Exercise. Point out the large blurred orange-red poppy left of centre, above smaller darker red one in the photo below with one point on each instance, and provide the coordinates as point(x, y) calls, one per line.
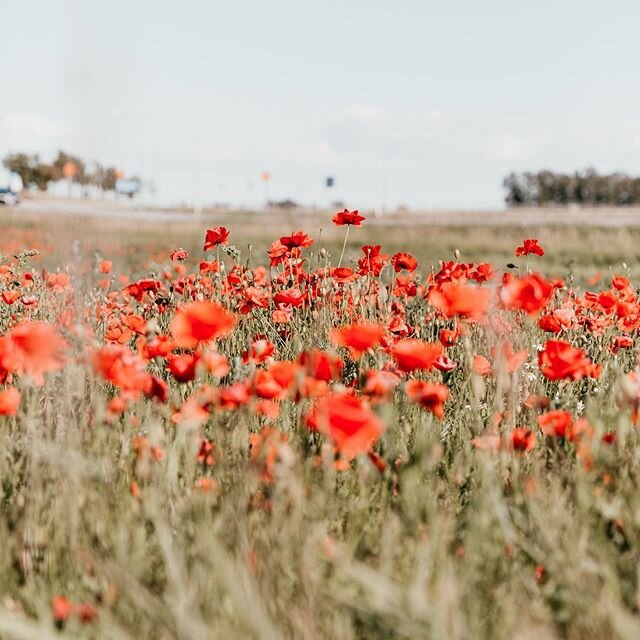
point(200, 322)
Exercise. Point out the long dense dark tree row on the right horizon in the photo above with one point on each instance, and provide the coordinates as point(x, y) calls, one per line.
point(582, 187)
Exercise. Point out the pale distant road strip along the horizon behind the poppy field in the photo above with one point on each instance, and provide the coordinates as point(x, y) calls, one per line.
point(599, 217)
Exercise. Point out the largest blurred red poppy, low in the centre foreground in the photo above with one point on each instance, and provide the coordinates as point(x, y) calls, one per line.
point(348, 421)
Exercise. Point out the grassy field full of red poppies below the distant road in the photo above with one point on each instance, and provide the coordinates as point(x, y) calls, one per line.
point(318, 436)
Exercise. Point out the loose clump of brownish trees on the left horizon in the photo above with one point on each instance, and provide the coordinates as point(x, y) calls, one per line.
point(36, 173)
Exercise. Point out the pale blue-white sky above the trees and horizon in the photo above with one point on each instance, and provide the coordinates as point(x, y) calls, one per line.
point(415, 102)
